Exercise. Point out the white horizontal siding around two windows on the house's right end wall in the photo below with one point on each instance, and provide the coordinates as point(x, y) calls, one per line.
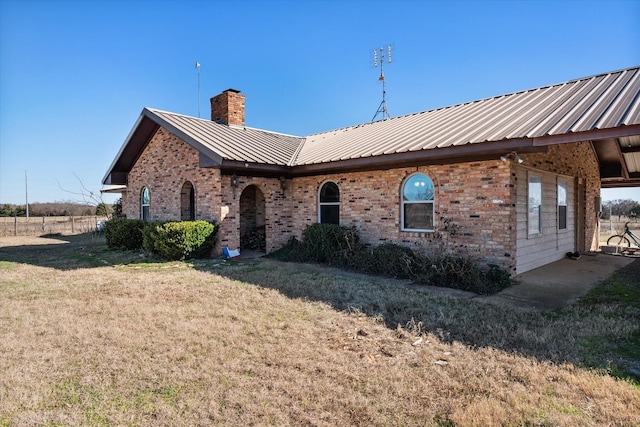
point(552, 244)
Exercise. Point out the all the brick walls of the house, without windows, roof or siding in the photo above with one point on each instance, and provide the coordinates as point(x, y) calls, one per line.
point(478, 197)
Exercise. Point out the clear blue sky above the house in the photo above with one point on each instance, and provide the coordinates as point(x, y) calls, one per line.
point(75, 74)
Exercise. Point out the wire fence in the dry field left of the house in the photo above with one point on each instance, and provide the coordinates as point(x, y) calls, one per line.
point(43, 225)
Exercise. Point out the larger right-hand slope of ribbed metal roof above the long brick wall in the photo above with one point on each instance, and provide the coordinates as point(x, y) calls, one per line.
point(604, 101)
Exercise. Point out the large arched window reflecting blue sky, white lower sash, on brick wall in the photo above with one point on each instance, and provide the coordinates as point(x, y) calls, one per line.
point(417, 203)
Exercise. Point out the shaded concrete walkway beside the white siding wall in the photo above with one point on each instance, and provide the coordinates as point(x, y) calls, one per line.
point(561, 283)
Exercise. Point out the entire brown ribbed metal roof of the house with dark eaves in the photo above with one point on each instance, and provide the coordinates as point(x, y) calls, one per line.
point(604, 109)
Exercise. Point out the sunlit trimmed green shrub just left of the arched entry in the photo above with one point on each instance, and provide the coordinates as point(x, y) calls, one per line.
point(180, 239)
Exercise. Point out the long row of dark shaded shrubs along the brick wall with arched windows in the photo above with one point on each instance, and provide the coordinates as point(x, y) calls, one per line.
point(340, 246)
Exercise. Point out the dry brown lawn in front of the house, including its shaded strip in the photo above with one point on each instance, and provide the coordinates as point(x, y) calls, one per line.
point(94, 337)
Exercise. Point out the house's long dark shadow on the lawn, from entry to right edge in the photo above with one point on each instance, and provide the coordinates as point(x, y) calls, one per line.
point(565, 336)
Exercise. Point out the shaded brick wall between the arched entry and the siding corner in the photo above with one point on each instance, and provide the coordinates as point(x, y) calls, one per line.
point(473, 196)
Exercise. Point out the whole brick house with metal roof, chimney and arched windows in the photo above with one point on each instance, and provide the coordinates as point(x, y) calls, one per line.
point(513, 180)
